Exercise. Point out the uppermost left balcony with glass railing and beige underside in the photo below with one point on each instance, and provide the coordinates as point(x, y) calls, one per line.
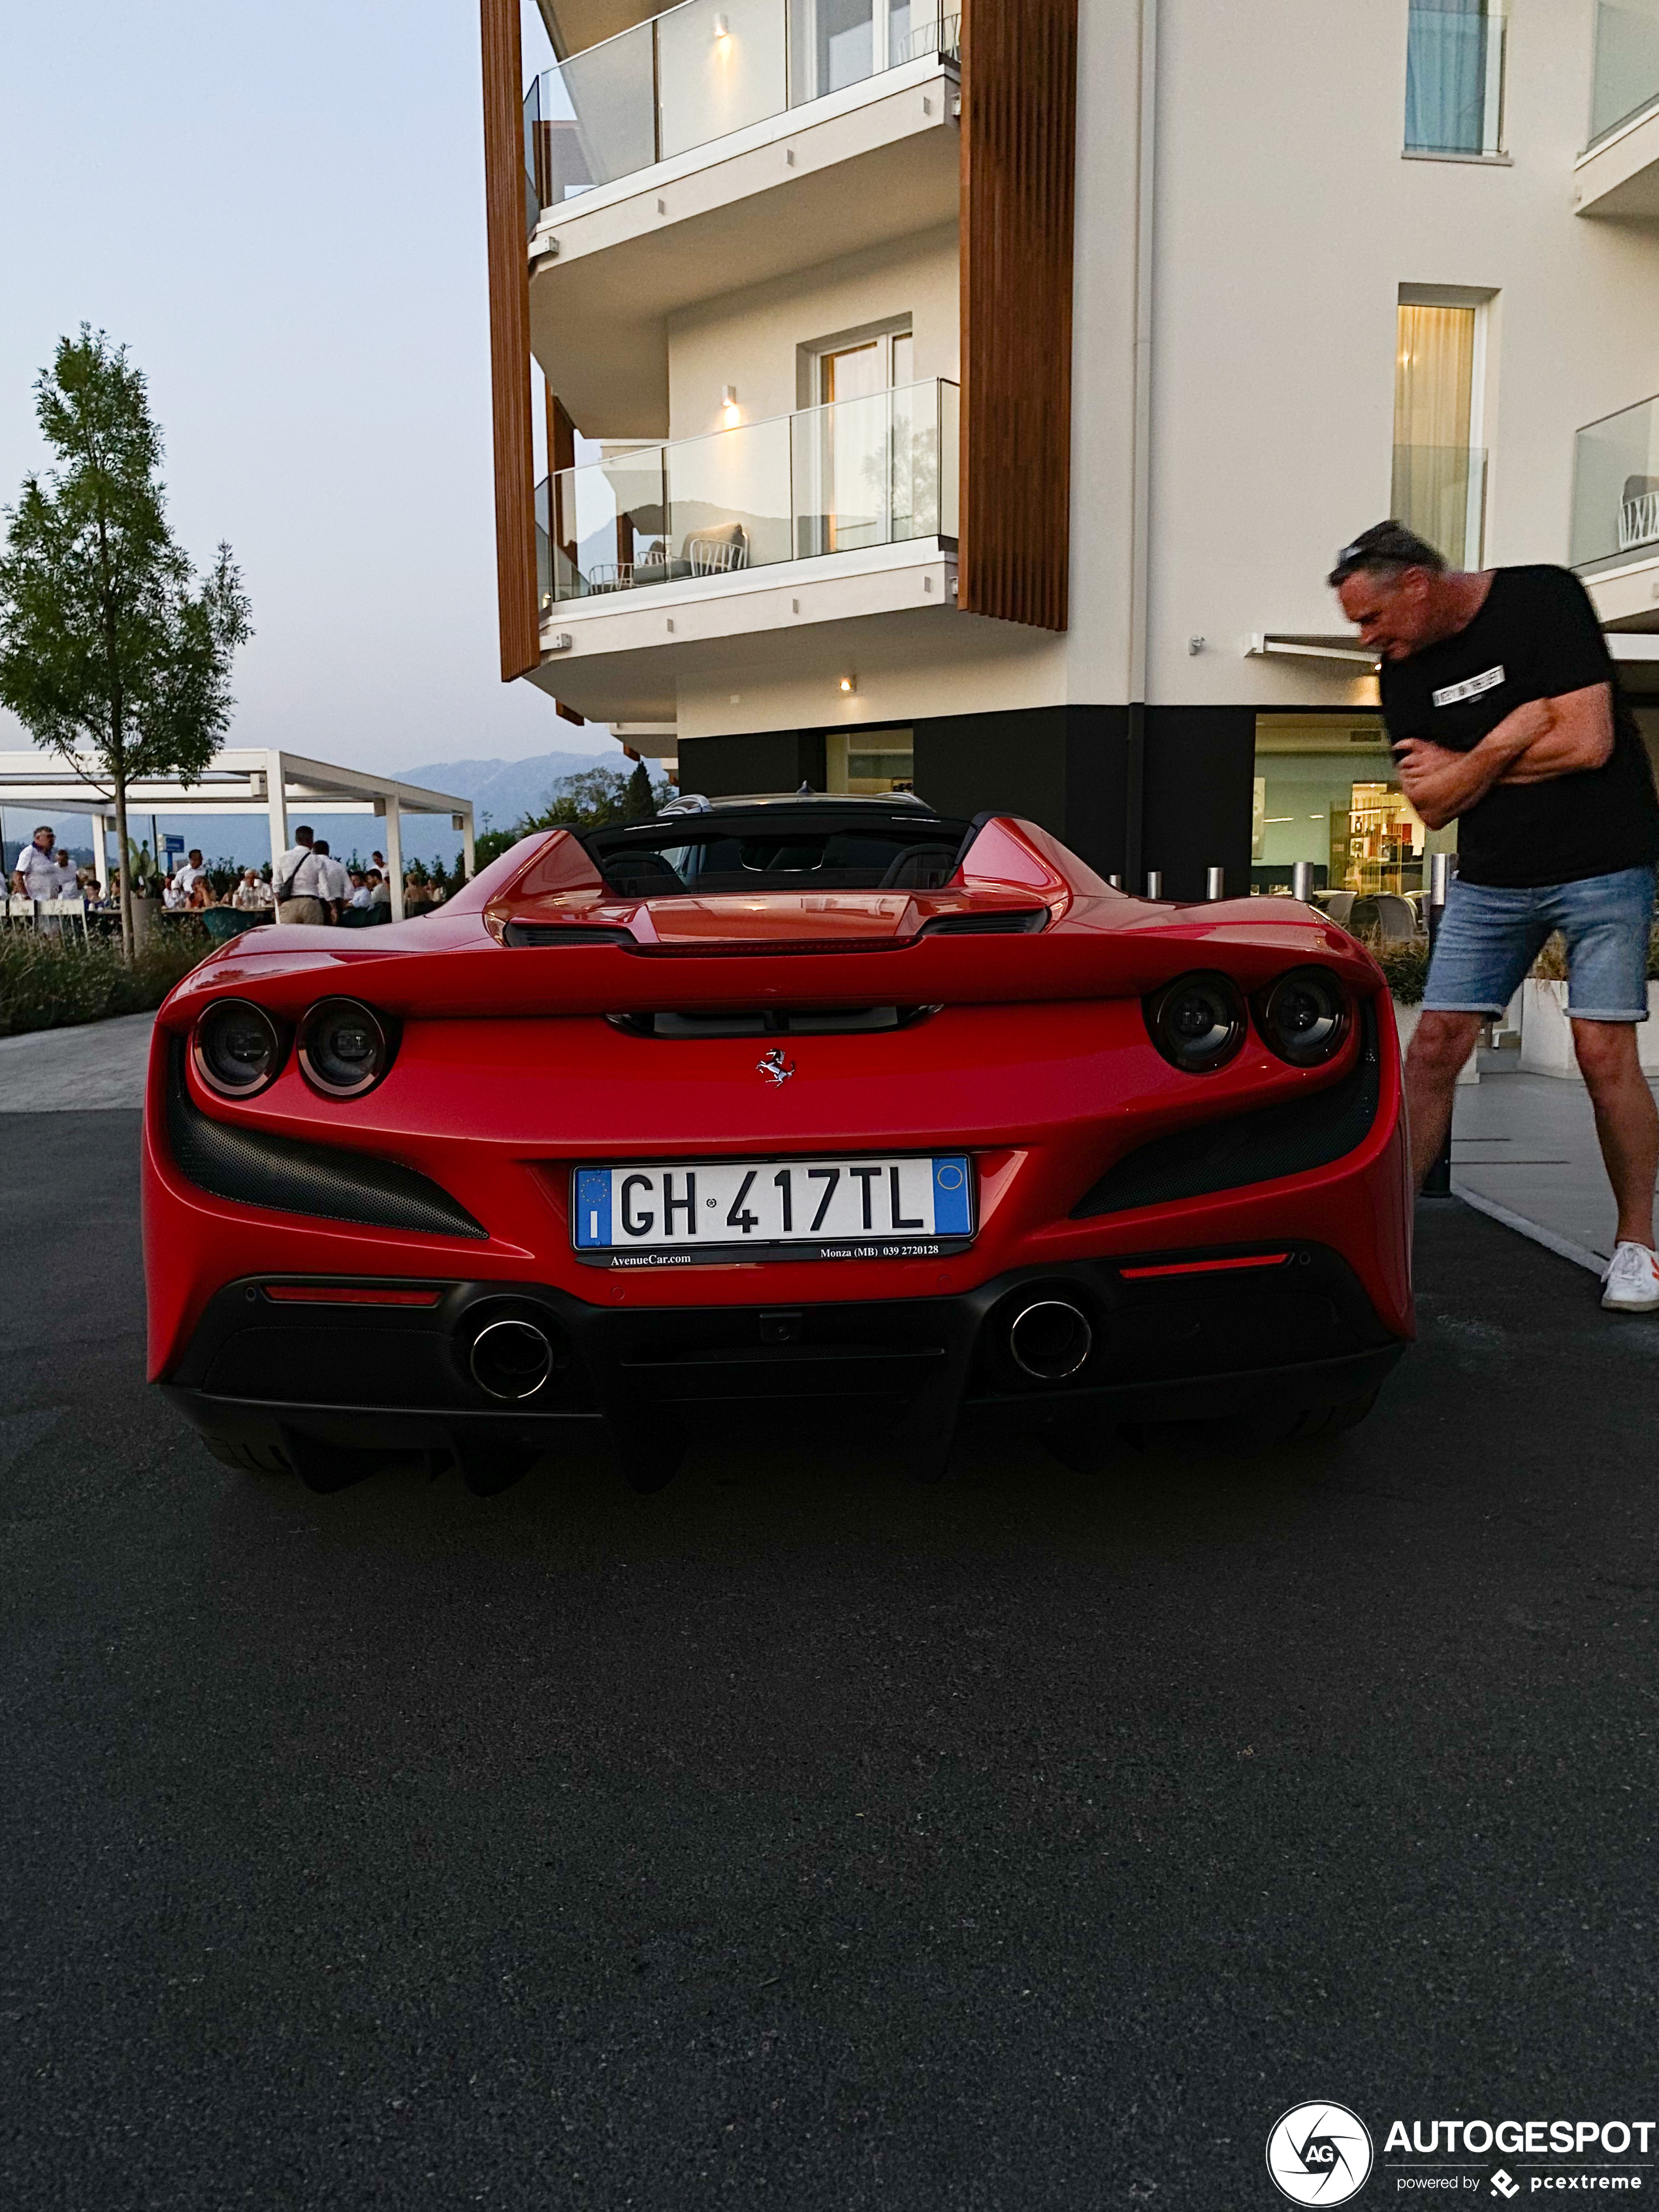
point(713, 149)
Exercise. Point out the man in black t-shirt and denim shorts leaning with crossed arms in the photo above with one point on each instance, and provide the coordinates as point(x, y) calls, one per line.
point(1505, 716)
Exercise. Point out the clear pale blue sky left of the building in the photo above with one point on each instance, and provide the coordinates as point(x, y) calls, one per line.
point(280, 211)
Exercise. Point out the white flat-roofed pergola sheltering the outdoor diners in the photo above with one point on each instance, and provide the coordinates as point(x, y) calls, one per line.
point(242, 780)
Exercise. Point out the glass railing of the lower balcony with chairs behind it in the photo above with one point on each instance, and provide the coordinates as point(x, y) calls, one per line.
point(862, 472)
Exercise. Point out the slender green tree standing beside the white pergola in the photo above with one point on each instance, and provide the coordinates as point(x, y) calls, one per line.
point(112, 651)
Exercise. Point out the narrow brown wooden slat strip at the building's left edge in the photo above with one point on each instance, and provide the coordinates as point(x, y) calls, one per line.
point(510, 337)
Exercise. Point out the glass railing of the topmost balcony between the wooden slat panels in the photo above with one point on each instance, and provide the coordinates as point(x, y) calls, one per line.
point(705, 70)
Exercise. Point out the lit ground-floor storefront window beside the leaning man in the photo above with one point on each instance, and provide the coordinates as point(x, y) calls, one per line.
point(1326, 793)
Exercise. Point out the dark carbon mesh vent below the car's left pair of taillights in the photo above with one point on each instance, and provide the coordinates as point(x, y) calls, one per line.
point(291, 1178)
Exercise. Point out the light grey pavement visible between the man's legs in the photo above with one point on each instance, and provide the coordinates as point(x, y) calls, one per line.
point(1523, 1151)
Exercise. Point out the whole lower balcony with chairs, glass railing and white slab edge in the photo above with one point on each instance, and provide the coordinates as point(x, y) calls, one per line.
point(775, 528)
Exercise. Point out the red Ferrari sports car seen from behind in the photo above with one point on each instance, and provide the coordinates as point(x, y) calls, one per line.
point(773, 1105)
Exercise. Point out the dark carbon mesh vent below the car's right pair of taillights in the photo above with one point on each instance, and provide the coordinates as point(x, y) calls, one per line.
point(1251, 1147)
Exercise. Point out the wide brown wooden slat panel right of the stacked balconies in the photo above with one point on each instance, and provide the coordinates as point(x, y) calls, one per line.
point(1019, 207)
